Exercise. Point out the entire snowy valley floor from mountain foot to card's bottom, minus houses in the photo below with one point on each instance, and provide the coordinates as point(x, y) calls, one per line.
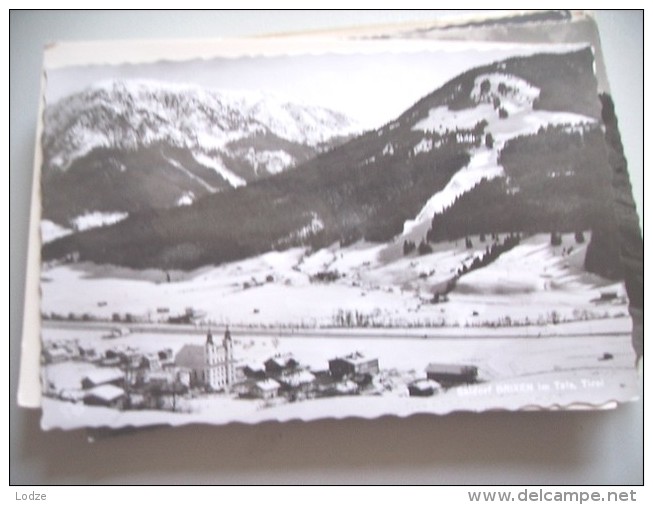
point(543, 333)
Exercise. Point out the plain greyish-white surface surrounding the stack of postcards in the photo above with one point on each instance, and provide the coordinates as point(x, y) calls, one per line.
point(490, 448)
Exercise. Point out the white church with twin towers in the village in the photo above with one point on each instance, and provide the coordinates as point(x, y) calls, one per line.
point(210, 365)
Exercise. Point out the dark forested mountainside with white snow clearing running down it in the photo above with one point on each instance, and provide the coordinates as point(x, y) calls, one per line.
point(517, 145)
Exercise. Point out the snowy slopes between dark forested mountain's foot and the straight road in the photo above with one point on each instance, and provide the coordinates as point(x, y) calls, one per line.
point(534, 284)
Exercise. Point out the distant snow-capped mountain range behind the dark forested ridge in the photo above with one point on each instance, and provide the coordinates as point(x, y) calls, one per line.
point(179, 138)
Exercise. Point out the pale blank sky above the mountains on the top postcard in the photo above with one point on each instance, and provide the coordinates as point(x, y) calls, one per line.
point(372, 88)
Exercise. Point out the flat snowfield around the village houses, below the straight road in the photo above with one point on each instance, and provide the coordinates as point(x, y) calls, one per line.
point(515, 373)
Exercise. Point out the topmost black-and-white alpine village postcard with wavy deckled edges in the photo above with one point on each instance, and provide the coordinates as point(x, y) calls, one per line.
point(335, 229)
